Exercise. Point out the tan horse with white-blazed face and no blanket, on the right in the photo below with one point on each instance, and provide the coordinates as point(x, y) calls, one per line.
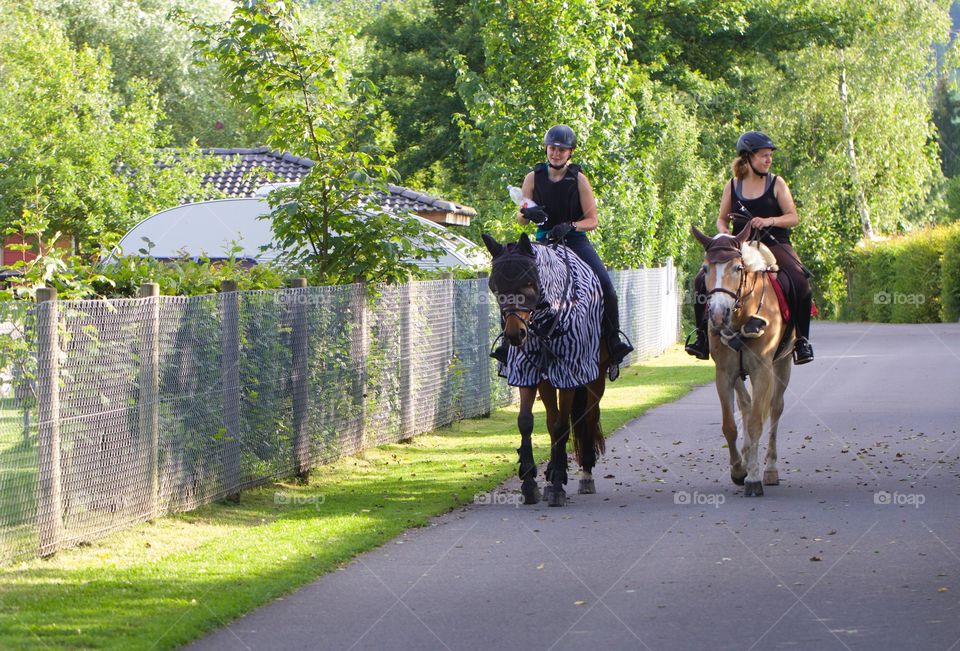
point(739, 289)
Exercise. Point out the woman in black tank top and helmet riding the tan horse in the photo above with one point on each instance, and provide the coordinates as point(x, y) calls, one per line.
point(763, 199)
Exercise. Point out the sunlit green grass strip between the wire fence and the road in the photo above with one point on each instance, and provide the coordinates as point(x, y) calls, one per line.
point(162, 584)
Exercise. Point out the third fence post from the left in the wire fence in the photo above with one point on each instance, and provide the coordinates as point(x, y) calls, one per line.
point(230, 364)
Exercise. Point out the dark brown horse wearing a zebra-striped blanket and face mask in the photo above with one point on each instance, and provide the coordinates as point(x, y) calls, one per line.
point(551, 304)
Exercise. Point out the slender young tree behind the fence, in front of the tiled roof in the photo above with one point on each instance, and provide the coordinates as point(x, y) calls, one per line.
point(290, 76)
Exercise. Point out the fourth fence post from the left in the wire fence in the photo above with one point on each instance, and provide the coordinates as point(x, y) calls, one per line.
point(300, 379)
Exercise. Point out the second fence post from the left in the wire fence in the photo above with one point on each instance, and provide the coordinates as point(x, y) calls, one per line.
point(150, 394)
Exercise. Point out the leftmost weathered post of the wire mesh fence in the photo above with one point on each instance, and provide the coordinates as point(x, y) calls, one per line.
point(49, 500)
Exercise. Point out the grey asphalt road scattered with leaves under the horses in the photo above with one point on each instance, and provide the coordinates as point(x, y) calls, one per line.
point(858, 548)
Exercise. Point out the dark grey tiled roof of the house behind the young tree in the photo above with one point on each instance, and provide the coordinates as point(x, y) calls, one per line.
point(238, 180)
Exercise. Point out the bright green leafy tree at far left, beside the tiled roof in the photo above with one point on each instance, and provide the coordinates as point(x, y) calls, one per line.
point(75, 156)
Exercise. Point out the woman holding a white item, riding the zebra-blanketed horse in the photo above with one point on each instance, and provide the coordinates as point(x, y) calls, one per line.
point(566, 210)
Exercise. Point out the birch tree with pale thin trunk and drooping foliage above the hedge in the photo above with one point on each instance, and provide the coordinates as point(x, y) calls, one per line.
point(855, 123)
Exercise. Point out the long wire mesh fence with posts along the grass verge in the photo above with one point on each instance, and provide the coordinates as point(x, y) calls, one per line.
point(116, 412)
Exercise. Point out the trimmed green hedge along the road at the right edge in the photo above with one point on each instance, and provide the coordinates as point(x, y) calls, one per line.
point(913, 279)
